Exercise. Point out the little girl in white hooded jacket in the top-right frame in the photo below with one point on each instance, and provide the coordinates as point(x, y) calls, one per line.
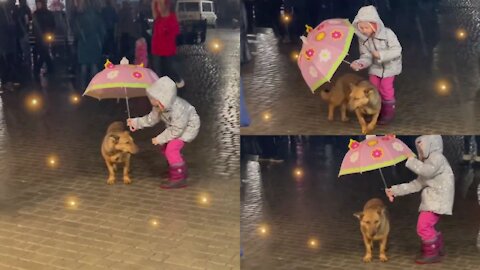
point(381, 52)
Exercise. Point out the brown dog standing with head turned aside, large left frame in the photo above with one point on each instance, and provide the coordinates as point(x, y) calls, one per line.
point(117, 147)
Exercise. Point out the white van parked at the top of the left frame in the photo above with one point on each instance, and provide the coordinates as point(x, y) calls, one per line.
point(201, 10)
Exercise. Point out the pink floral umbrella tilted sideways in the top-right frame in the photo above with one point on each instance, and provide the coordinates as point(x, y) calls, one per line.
point(323, 50)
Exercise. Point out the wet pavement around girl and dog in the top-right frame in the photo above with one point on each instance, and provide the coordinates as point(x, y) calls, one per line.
point(436, 93)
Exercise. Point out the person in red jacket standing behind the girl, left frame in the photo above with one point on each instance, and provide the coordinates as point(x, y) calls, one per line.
point(164, 45)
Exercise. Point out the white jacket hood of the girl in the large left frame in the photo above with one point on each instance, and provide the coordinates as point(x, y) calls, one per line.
point(163, 90)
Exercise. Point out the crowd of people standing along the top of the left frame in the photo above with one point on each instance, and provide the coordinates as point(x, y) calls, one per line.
point(30, 39)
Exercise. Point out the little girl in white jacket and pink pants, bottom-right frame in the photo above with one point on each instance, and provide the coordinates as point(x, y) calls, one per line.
point(436, 181)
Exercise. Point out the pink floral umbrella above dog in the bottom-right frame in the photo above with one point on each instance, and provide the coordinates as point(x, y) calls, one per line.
point(374, 153)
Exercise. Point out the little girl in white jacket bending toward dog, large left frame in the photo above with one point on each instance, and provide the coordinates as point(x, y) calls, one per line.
point(182, 125)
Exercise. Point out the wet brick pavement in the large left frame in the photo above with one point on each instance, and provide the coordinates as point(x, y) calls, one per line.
point(65, 216)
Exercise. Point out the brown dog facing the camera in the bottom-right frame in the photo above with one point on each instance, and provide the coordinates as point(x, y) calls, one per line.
point(375, 226)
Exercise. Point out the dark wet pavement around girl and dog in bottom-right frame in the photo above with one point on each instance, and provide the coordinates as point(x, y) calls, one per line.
point(282, 214)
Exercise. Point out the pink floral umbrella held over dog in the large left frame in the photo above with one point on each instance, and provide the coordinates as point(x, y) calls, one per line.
point(121, 81)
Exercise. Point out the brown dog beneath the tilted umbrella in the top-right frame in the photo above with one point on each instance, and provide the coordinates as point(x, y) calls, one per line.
point(354, 93)
